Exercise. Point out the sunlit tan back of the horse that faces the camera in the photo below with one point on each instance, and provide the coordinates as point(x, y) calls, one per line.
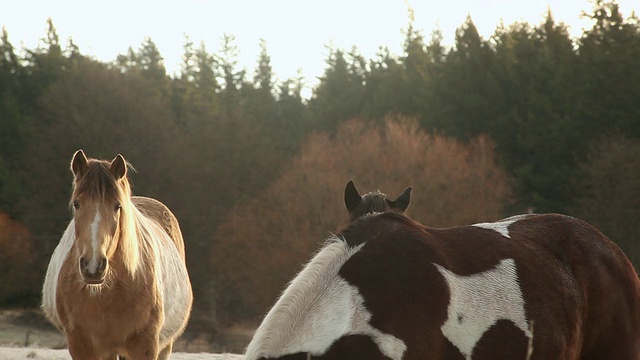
point(160, 213)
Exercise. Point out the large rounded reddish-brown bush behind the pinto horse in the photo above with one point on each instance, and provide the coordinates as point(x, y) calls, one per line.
point(265, 241)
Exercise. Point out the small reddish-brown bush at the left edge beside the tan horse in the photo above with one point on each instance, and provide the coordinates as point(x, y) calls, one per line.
point(17, 258)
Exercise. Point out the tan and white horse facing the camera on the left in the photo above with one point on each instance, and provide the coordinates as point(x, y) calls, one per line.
point(117, 283)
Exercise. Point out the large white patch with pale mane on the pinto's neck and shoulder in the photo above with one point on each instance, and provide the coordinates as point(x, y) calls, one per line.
point(318, 308)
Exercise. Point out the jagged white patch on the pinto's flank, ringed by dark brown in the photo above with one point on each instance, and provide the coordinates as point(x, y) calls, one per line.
point(478, 301)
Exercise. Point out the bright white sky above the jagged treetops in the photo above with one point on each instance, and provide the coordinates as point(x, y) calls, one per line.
point(295, 31)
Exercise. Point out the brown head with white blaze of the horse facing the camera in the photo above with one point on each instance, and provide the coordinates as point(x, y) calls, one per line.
point(100, 191)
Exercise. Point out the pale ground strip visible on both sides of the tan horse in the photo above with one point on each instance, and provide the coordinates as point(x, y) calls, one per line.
point(27, 335)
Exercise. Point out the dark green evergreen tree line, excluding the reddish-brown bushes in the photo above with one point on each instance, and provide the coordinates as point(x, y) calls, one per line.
point(214, 137)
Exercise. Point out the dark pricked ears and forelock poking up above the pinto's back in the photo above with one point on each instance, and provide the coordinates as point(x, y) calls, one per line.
point(374, 201)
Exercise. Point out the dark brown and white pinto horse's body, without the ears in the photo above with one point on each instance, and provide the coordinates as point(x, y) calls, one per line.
point(387, 287)
